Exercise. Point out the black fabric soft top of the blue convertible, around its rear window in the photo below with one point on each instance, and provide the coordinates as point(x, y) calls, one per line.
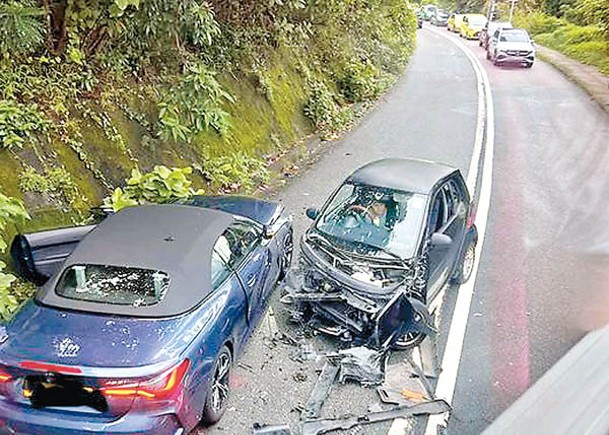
point(175, 239)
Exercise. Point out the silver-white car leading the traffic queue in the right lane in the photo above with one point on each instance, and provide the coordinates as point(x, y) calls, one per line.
point(511, 46)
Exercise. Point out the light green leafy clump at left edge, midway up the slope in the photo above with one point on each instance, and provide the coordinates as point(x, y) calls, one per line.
point(19, 122)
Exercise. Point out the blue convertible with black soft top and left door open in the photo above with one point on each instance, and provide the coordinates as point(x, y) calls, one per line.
point(138, 324)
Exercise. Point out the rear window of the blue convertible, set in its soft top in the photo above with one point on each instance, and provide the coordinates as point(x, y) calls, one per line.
point(113, 285)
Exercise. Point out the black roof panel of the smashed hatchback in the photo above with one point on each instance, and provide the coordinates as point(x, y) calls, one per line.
point(408, 175)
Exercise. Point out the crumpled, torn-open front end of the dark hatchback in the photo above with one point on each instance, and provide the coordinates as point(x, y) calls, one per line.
point(356, 298)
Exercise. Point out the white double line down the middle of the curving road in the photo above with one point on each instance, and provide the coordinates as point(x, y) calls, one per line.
point(445, 388)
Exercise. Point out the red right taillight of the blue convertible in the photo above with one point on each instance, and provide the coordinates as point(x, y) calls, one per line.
point(159, 387)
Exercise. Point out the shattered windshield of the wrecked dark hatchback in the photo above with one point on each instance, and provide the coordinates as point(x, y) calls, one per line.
point(385, 220)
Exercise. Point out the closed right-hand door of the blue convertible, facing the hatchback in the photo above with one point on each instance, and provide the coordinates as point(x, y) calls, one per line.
point(251, 259)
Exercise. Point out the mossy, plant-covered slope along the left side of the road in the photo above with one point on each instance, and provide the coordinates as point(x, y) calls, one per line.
point(119, 99)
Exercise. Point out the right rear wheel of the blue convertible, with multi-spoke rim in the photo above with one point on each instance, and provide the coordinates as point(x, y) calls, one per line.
point(219, 392)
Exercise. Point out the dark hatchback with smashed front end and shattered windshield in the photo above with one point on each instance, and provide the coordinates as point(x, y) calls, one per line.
point(394, 226)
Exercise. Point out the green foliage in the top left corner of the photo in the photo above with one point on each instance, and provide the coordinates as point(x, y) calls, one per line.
point(21, 29)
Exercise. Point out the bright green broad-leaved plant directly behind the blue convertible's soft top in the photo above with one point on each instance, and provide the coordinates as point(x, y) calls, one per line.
point(158, 186)
